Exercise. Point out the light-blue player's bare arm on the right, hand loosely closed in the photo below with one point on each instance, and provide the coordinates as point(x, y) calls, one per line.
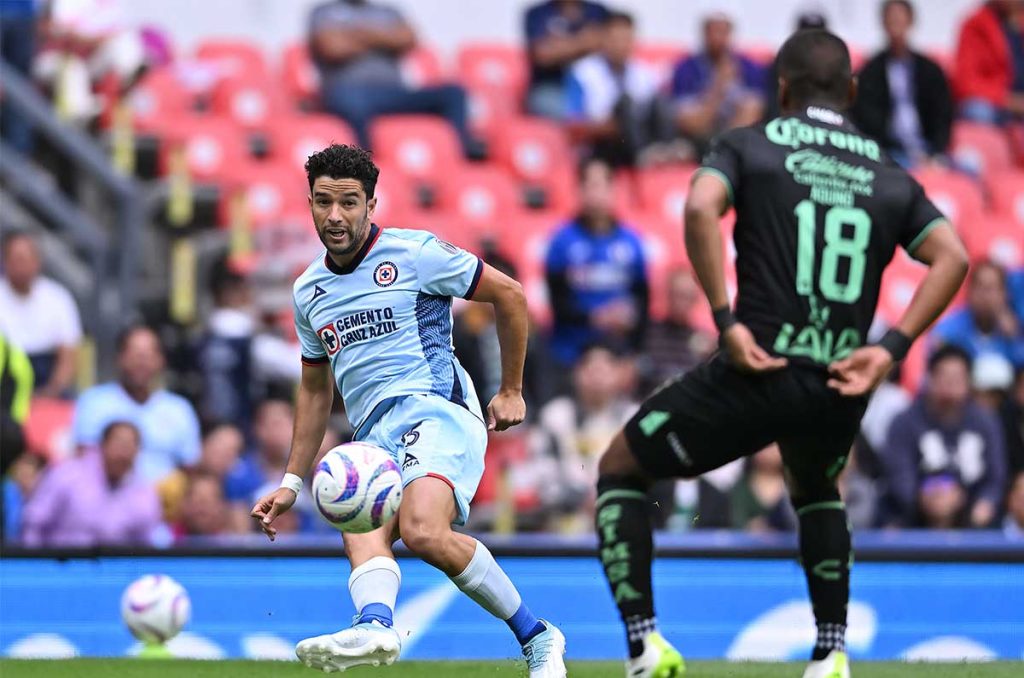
point(507, 408)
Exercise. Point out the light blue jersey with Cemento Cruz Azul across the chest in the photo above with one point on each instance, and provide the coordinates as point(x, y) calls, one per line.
point(385, 322)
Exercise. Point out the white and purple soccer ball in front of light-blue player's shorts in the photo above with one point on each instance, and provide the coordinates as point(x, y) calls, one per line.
point(358, 488)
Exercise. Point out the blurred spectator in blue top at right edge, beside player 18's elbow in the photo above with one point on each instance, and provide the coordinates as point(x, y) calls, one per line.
point(987, 324)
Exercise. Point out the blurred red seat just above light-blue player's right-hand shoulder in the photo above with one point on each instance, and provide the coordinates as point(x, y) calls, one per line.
point(485, 197)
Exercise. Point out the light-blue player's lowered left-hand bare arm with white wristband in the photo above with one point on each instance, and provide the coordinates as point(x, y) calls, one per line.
point(313, 408)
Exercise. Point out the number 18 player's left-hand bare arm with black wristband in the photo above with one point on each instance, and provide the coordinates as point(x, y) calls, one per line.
point(707, 202)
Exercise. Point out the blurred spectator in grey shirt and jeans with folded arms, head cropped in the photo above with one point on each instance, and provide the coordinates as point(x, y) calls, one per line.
point(358, 47)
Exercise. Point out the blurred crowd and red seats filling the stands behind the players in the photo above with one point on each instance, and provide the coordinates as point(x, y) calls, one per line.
point(565, 162)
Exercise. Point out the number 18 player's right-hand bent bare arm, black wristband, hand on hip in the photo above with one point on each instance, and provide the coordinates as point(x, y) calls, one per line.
point(865, 369)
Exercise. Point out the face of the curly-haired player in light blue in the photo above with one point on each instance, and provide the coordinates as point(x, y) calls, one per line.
point(342, 215)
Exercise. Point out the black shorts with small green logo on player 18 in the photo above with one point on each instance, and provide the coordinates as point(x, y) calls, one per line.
point(714, 415)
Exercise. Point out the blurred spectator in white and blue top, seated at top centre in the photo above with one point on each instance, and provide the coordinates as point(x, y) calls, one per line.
point(612, 105)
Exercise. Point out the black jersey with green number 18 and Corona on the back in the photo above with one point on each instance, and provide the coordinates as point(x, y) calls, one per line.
point(820, 213)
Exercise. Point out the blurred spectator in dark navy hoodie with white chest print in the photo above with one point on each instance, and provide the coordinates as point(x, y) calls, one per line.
point(946, 459)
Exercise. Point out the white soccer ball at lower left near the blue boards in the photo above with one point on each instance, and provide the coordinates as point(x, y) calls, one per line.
point(155, 608)
